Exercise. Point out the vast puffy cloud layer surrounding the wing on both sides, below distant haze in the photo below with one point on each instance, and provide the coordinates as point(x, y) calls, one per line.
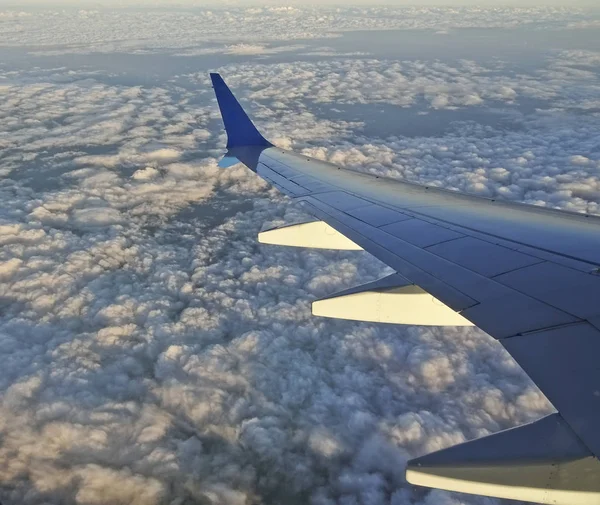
point(153, 352)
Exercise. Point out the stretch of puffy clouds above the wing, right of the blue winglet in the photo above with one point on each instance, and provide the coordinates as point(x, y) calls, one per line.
point(550, 157)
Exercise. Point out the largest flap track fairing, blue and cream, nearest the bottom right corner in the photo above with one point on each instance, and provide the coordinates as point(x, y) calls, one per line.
point(542, 462)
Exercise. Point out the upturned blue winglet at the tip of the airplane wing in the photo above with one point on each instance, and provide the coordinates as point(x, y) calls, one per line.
point(239, 128)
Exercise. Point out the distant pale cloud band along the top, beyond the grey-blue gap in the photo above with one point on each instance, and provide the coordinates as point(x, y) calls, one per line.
point(54, 31)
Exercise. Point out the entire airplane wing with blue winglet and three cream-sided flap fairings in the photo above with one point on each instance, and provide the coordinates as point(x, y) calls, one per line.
point(526, 275)
